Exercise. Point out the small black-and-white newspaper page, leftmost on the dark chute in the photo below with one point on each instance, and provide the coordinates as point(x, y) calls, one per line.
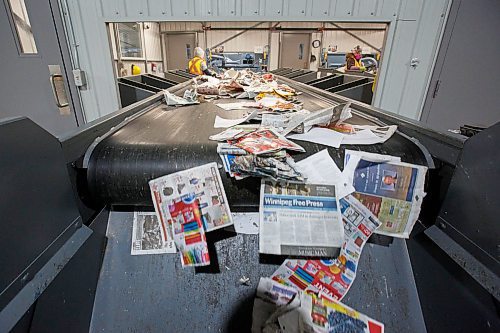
point(148, 235)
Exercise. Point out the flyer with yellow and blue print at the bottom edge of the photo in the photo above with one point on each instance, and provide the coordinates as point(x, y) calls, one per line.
point(318, 315)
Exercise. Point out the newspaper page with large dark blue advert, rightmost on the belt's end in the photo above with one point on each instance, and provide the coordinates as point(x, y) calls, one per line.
point(392, 190)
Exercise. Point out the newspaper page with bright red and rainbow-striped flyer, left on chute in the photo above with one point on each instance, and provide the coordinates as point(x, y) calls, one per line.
point(188, 203)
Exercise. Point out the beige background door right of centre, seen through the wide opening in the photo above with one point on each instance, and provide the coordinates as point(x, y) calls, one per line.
point(295, 50)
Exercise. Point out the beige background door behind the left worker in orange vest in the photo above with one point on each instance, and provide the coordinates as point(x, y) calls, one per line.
point(180, 48)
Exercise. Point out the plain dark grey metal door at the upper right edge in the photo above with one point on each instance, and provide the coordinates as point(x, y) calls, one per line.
point(468, 91)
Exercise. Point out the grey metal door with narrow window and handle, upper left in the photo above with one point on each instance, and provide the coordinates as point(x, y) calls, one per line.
point(35, 81)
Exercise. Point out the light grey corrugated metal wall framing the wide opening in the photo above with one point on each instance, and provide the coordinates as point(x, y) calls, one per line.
point(415, 28)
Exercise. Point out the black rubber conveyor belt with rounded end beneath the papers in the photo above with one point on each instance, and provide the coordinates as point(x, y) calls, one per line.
point(165, 139)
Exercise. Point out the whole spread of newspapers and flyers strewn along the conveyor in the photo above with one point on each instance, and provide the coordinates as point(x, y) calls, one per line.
point(318, 215)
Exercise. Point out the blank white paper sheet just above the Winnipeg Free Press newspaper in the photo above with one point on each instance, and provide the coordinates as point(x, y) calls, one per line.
point(320, 168)
